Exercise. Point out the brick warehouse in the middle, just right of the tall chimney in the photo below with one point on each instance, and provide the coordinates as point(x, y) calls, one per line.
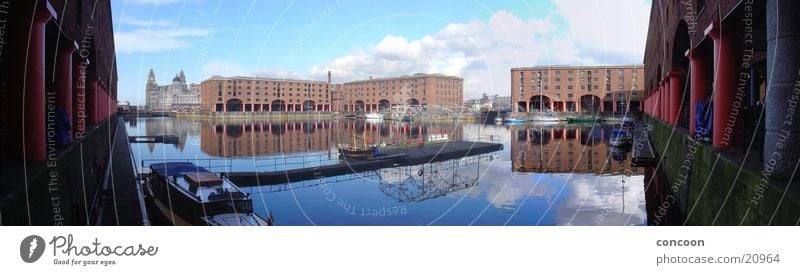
point(377, 94)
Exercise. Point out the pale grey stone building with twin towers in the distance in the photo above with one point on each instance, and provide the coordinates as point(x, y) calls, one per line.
point(176, 96)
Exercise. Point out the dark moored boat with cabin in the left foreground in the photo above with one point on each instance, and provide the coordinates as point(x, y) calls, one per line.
point(186, 194)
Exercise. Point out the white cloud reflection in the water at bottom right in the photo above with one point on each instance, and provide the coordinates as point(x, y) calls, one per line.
point(602, 204)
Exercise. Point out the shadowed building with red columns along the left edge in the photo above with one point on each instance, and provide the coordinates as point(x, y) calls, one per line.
point(58, 81)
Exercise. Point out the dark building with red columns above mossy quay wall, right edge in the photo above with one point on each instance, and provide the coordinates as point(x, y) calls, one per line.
point(721, 97)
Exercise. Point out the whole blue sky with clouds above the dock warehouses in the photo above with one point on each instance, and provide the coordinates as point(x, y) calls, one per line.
point(477, 40)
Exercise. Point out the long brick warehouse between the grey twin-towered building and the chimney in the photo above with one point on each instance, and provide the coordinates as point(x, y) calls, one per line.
point(260, 94)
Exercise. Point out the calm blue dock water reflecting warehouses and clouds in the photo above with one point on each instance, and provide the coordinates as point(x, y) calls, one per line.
point(545, 175)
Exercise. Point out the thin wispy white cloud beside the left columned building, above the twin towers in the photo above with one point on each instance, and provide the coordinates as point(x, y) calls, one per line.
point(145, 40)
